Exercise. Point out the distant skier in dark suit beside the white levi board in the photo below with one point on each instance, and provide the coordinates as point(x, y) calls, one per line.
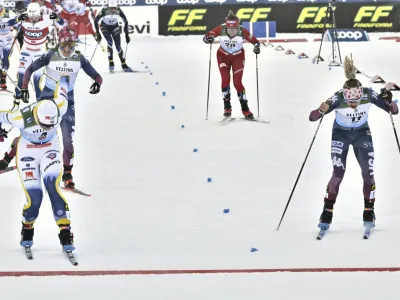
point(111, 31)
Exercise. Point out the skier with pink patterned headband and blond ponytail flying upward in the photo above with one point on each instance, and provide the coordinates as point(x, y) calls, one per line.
point(350, 127)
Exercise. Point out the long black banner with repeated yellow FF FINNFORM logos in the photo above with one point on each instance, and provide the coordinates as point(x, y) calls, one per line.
point(289, 18)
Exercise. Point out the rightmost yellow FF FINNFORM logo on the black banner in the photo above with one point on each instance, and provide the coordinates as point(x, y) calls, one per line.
point(374, 17)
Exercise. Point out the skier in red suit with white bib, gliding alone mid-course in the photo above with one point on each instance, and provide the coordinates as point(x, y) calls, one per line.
point(230, 55)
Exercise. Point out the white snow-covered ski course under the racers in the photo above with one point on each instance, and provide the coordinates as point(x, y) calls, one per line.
point(153, 209)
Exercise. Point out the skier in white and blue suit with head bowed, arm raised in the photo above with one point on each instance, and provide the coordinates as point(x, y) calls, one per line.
point(38, 157)
